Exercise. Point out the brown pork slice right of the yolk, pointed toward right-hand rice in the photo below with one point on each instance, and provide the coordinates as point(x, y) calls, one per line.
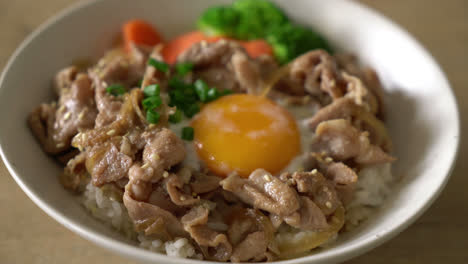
point(342, 141)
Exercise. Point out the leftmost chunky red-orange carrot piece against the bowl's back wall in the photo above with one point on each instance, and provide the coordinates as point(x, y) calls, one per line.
point(140, 32)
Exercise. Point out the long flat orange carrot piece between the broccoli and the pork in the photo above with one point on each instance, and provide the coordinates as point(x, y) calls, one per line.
point(178, 45)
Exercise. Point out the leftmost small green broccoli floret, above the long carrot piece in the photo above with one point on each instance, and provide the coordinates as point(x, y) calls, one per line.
point(219, 21)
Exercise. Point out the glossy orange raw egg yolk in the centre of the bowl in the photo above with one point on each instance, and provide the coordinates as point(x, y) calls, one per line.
point(241, 133)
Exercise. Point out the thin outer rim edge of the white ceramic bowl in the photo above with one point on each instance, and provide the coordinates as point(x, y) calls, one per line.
point(128, 250)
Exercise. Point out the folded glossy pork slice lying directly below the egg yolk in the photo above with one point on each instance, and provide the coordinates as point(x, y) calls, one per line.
point(263, 191)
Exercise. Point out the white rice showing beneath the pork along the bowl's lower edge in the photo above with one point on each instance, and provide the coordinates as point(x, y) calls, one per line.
point(373, 187)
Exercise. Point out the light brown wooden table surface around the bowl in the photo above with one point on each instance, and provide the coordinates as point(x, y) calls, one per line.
point(28, 235)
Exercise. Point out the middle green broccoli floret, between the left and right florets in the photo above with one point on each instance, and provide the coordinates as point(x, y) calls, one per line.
point(257, 17)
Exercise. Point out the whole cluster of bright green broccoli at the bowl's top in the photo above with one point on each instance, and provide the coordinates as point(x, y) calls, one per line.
point(261, 19)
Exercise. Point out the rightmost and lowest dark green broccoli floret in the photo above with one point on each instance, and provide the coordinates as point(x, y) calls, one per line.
point(289, 41)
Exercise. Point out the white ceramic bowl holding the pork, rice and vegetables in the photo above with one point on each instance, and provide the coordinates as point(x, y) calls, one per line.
point(423, 117)
